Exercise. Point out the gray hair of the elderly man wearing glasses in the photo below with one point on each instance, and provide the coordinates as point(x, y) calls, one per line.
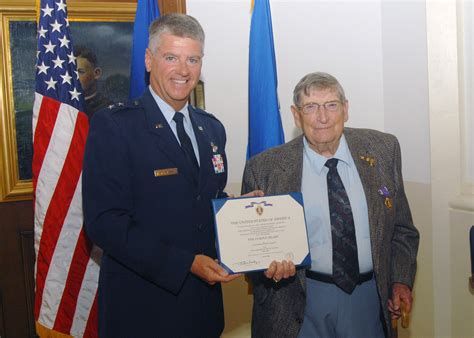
point(318, 80)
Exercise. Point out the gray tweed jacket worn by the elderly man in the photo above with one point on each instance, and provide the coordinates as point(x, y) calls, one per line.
point(278, 309)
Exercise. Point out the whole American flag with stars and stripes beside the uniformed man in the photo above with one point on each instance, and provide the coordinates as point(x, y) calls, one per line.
point(67, 265)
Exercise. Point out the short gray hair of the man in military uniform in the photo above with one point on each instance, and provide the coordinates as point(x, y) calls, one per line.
point(176, 24)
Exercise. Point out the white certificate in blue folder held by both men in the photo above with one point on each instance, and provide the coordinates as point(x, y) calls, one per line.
point(252, 232)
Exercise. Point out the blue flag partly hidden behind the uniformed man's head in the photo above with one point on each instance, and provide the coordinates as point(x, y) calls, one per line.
point(147, 11)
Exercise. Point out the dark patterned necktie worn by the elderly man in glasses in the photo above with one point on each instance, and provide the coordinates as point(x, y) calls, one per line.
point(344, 246)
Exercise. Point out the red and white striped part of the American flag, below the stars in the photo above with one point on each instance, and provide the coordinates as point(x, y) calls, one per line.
point(67, 265)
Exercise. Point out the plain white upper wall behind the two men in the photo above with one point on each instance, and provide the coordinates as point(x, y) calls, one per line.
point(362, 43)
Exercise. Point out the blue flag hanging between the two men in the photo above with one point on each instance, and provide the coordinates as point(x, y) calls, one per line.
point(265, 128)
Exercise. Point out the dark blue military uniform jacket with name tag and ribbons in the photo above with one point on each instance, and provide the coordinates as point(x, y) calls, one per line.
point(143, 208)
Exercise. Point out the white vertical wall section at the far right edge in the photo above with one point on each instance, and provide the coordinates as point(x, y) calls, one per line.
point(452, 196)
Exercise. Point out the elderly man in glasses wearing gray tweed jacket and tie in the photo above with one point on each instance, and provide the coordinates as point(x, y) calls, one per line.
point(362, 239)
